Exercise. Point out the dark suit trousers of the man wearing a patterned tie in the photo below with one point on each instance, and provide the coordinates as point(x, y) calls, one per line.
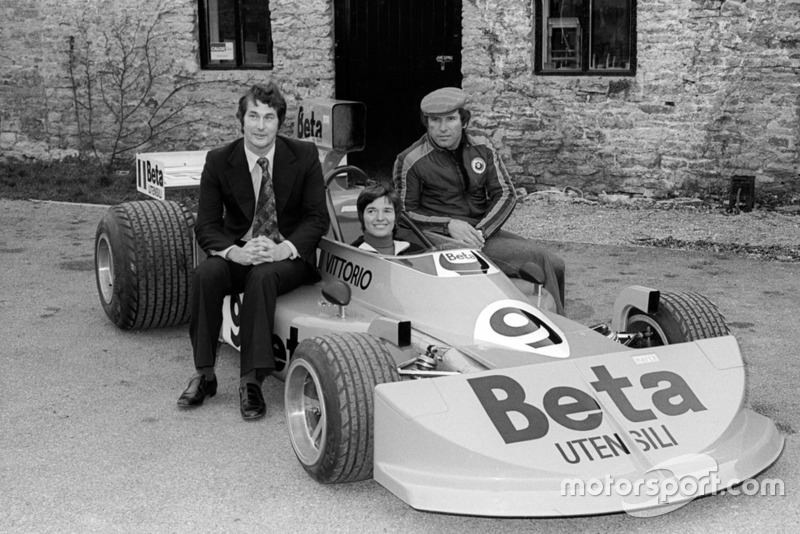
point(261, 284)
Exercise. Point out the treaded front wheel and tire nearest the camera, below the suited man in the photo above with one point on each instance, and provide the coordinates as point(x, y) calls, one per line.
point(329, 403)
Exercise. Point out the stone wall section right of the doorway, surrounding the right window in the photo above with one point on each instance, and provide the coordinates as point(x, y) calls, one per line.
point(716, 94)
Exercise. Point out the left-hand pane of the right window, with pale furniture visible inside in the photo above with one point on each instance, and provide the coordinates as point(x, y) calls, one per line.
point(562, 34)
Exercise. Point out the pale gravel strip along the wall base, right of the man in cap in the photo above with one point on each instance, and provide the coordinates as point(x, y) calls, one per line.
point(764, 234)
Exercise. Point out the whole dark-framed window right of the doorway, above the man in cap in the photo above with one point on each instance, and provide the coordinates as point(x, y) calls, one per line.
point(594, 37)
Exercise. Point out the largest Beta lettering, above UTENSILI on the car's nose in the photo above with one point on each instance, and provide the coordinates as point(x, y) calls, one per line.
point(575, 409)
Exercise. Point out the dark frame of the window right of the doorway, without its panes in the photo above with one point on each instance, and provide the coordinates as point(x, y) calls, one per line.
point(585, 69)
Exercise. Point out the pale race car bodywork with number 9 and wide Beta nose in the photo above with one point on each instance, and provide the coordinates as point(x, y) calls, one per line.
point(542, 400)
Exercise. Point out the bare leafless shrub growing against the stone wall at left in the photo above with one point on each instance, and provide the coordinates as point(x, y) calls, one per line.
point(127, 89)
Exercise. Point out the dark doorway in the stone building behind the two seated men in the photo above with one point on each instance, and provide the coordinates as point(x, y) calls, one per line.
point(389, 54)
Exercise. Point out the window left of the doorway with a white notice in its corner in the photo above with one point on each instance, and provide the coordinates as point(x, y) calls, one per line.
point(235, 34)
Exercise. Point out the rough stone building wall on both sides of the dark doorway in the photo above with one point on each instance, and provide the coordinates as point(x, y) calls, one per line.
point(716, 92)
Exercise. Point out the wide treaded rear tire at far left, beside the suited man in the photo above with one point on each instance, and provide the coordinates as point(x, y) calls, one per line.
point(144, 263)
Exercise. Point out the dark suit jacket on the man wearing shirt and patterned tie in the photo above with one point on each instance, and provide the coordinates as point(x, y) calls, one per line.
point(227, 202)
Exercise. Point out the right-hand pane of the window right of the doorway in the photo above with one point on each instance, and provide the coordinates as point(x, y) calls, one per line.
point(610, 37)
